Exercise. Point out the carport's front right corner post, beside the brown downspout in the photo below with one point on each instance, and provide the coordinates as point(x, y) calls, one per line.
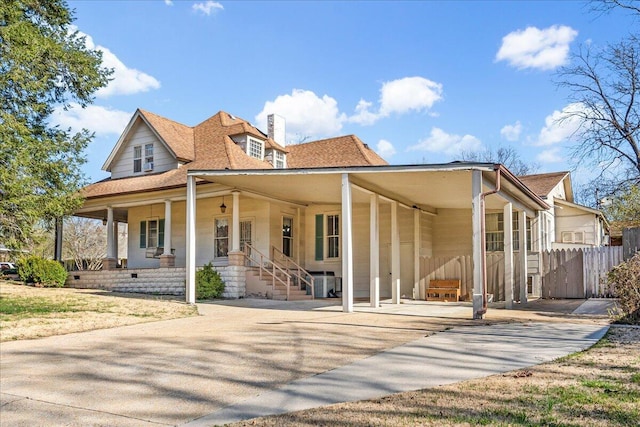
point(477, 212)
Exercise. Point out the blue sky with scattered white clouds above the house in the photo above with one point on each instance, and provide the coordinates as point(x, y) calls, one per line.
point(417, 81)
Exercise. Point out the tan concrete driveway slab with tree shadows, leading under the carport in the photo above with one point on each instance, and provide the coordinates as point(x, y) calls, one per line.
point(176, 371)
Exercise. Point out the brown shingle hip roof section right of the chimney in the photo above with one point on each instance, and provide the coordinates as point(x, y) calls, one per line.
point(346, 150)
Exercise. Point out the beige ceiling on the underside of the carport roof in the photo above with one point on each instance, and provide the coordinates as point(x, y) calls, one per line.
point(428, 189)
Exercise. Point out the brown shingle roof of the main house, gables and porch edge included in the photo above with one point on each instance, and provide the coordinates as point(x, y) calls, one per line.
point(209, 145)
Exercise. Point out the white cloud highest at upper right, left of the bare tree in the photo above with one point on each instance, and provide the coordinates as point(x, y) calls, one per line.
point(535, 48)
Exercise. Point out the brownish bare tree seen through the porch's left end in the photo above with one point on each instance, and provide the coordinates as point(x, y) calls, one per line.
point(84, 241)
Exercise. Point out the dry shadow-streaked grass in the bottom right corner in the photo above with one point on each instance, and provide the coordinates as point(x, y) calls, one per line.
point(598, 387)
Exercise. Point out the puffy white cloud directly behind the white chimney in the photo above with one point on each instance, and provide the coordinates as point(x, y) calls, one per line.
point(306, 114)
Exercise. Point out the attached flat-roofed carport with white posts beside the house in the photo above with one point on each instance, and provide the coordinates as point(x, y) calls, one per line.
point(427, 191)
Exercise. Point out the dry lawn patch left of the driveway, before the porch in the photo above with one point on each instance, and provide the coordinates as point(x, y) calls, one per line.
point(27, 312)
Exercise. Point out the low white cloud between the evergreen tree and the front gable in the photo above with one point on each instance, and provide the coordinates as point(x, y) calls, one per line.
point(95, 118)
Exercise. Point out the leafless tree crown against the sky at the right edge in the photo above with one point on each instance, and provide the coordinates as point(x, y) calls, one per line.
point(604, 85)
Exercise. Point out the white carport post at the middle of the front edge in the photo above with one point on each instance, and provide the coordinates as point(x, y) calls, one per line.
point(347, 246)
